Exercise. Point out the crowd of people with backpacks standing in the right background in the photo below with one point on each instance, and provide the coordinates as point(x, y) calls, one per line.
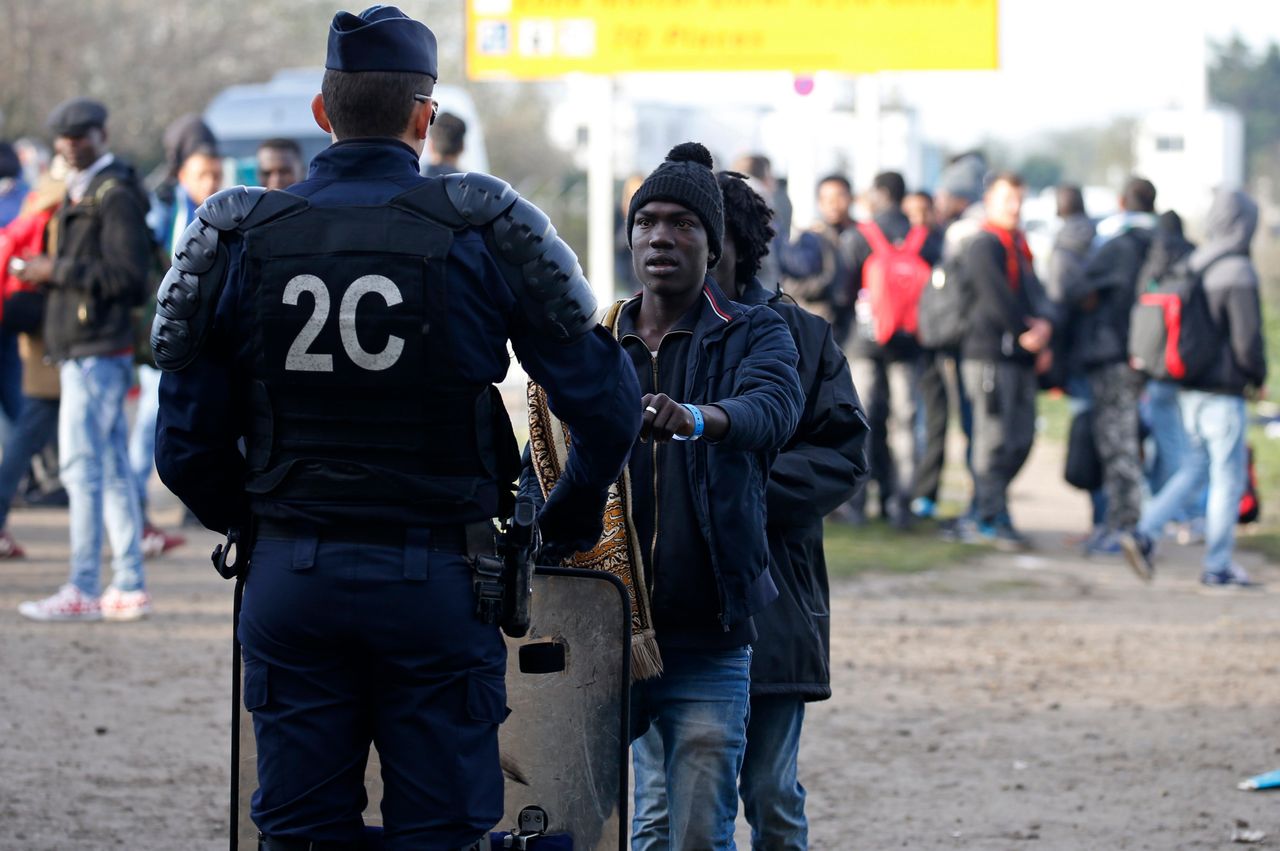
point(936, 303)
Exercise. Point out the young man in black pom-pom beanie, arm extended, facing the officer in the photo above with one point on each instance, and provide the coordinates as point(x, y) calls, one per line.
point(721, 397)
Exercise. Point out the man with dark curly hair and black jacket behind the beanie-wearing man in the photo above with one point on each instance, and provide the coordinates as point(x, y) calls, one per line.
point(820, 469)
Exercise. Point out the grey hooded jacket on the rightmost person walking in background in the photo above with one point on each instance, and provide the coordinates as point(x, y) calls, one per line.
point(1232, 291)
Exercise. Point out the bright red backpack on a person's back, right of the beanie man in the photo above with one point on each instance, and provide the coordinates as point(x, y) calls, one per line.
point(894, 278)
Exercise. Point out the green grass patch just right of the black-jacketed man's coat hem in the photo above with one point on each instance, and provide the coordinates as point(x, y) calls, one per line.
point(877, 547)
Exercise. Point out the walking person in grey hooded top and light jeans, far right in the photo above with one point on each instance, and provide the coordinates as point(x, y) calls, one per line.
point(1213, 409)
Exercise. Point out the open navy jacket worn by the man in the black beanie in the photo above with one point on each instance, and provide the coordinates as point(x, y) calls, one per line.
point(744, 362)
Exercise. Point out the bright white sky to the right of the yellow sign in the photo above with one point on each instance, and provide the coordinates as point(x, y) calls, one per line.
point(1066, 65)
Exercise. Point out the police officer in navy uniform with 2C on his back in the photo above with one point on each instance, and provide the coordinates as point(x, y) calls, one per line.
point(350, 332)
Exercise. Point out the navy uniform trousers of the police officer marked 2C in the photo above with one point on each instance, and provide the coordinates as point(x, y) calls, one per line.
point(349, 644)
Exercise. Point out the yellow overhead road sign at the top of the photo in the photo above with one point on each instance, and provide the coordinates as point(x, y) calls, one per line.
point(541, 39)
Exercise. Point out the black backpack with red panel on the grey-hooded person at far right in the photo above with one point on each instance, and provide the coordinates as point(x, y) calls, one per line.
point(1173, 336)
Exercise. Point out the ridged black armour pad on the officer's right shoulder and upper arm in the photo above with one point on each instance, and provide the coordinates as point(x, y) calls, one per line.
point(540, 268)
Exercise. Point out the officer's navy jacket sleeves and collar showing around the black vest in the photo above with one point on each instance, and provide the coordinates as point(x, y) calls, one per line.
point(204, 409)
